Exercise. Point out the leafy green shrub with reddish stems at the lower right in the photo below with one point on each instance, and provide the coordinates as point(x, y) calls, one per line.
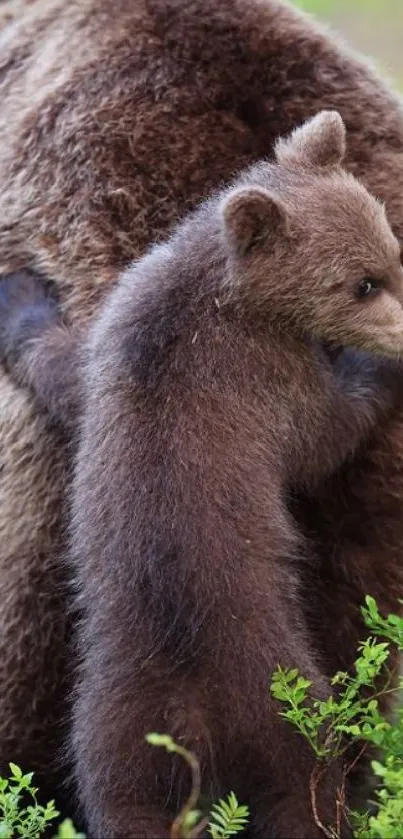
point(345, 725)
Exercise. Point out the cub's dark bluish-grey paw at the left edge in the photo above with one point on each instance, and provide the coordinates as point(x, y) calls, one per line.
point(27, 308)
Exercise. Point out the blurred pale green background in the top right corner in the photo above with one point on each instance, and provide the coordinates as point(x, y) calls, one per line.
point(375, 27)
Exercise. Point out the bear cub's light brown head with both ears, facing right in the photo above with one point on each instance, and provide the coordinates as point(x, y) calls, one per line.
point(308, 245)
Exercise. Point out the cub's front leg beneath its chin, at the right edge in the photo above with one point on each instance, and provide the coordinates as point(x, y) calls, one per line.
point(350, 395)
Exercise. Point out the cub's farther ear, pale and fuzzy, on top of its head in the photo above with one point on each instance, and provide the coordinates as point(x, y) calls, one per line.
point(320, 141)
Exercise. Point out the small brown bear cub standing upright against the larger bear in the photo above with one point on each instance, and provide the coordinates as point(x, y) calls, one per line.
point(200, 399)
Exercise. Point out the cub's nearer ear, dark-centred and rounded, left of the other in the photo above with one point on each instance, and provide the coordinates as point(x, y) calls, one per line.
point(252, 217)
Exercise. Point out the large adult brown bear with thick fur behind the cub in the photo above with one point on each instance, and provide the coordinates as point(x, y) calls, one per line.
point(114, 118)
